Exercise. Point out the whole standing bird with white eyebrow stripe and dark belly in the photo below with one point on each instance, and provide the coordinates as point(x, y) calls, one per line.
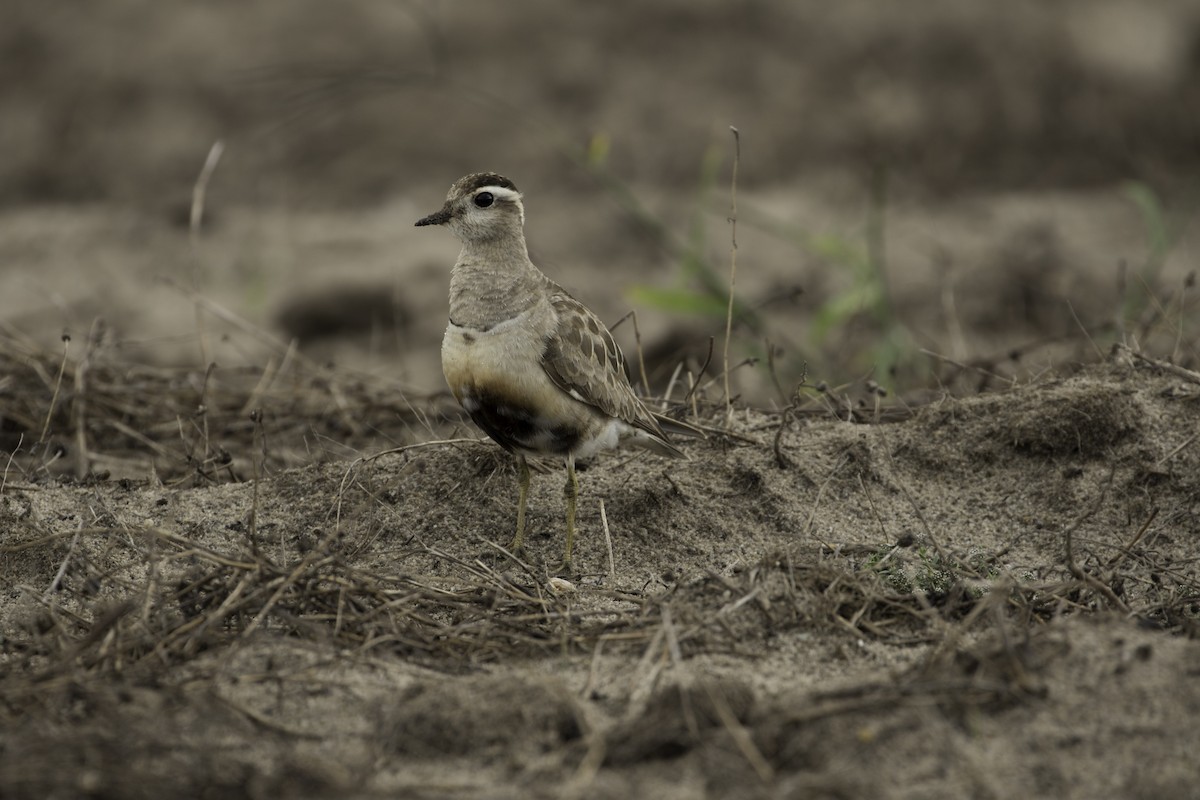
point(532, 366)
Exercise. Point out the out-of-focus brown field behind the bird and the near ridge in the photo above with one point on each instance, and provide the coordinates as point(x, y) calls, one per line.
point(928, 193)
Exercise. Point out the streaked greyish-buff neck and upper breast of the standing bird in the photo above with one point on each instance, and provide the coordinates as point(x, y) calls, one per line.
point(493, 284)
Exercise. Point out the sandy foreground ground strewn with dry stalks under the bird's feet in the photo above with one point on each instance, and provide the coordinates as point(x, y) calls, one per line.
point(965, 603)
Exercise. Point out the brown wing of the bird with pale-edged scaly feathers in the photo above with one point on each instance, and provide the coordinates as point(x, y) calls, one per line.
point(584, 360)
